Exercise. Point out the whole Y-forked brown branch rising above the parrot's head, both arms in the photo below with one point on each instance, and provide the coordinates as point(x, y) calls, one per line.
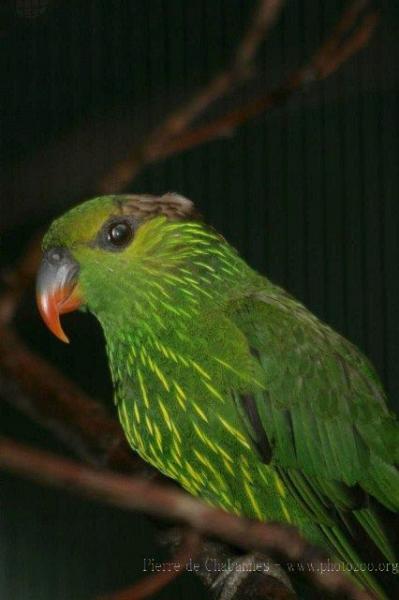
point(350, 35)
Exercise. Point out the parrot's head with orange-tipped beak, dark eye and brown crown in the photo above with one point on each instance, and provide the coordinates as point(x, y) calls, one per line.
point(110, 255)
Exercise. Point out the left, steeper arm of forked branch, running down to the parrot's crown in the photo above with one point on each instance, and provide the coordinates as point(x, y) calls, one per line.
point(224, 83)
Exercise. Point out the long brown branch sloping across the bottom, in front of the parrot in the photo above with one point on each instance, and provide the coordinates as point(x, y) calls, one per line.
point(168, 502)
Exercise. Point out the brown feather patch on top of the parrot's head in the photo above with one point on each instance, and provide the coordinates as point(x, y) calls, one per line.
point(145, 206)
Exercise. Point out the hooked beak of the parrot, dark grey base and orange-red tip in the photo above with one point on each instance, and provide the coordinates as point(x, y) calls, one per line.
point(57, 290)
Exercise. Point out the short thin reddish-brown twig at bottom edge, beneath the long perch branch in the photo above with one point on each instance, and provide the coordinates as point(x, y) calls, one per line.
point(148, 586)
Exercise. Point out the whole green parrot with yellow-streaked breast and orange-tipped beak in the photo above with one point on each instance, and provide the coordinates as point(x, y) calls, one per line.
point(225, 382)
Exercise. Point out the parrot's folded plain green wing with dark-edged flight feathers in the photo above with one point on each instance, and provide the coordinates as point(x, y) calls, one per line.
point(325, 420)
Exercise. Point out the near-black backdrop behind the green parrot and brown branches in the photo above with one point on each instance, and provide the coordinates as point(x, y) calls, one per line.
point(308, 193)
